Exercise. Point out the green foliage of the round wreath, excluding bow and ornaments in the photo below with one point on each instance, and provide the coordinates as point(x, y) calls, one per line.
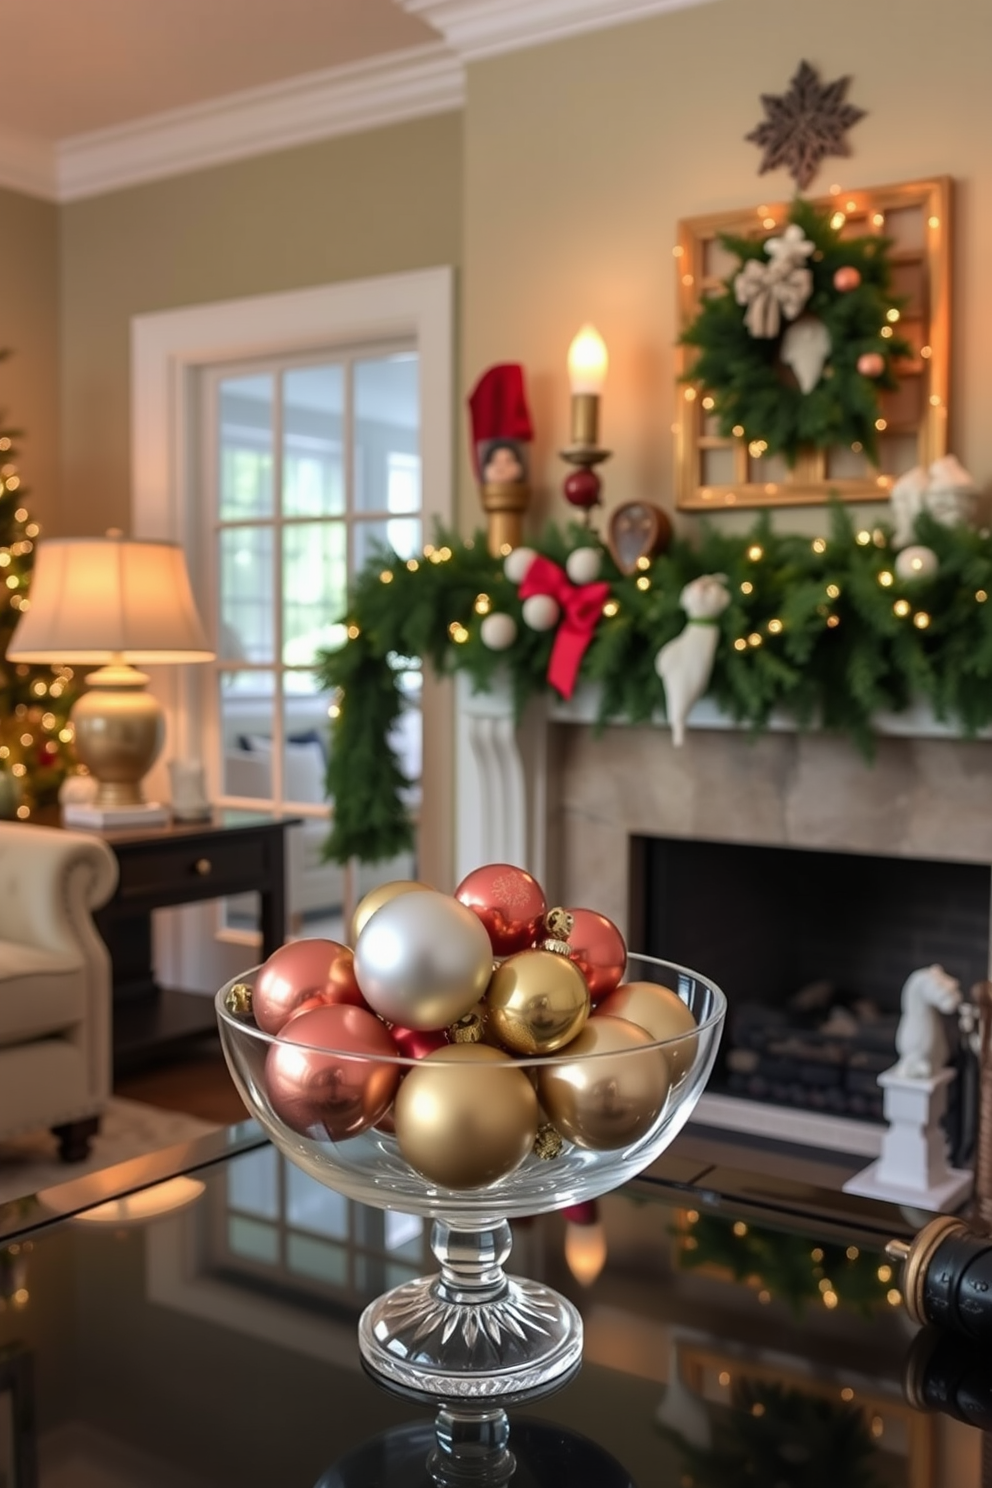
point(746, 377)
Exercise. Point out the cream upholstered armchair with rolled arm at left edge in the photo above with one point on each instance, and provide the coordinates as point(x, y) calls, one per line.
point(56, 989)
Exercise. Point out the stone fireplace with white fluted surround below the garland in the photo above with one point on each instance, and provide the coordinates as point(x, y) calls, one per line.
point(862, 852)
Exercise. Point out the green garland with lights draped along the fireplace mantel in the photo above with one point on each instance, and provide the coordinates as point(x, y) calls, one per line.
point(820, 629)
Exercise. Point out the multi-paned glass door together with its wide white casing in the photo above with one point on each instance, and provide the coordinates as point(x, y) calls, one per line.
point(309, 489)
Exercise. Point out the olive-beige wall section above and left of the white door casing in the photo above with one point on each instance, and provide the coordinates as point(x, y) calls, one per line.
point(367, 205)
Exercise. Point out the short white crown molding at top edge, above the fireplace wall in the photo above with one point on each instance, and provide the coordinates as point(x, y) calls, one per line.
point(477, 29)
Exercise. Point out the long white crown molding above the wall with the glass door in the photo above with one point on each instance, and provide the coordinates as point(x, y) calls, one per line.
point(316, 106)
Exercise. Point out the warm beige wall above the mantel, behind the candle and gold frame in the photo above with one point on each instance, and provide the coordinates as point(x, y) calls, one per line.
point(582, 157)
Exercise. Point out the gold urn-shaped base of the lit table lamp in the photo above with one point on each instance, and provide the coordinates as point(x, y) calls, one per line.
point(120, 734)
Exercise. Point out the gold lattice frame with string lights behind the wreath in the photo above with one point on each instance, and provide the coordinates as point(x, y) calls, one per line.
point(715, 472)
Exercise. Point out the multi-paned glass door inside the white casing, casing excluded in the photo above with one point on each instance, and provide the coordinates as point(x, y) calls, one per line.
point(312, 468)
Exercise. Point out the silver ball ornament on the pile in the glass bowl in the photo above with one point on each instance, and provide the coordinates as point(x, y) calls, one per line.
point(423, 961)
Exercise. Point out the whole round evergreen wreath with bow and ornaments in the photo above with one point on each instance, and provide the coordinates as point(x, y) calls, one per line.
point(801, 340)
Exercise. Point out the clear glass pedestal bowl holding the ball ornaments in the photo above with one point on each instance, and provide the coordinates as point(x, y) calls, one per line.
point(472, 1333)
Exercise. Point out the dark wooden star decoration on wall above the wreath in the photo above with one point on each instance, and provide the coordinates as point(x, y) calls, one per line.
point(805, 124)
